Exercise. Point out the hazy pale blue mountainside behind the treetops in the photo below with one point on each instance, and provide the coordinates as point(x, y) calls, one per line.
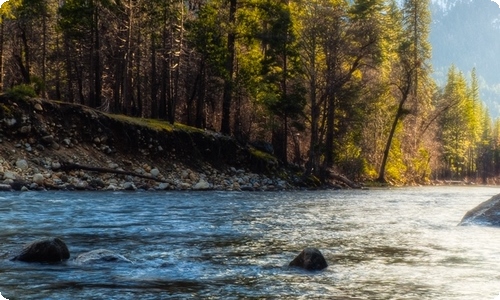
point(466, 33)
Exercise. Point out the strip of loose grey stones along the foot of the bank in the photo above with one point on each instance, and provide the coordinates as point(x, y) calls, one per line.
point(23, 175)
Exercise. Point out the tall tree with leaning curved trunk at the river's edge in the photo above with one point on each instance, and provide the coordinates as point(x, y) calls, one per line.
point(413, 82)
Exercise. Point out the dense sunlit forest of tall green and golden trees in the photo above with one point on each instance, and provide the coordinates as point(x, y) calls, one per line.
point(328, 85)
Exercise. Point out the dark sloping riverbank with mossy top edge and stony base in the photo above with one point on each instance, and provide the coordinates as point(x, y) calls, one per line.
point(48, 145)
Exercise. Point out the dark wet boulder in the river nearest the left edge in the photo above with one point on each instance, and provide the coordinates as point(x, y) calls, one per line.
point(44, 250)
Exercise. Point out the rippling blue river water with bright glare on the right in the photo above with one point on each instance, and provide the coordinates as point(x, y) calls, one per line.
point(380, 244)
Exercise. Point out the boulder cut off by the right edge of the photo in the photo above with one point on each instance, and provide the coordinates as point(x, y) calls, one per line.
point(486, 213)
